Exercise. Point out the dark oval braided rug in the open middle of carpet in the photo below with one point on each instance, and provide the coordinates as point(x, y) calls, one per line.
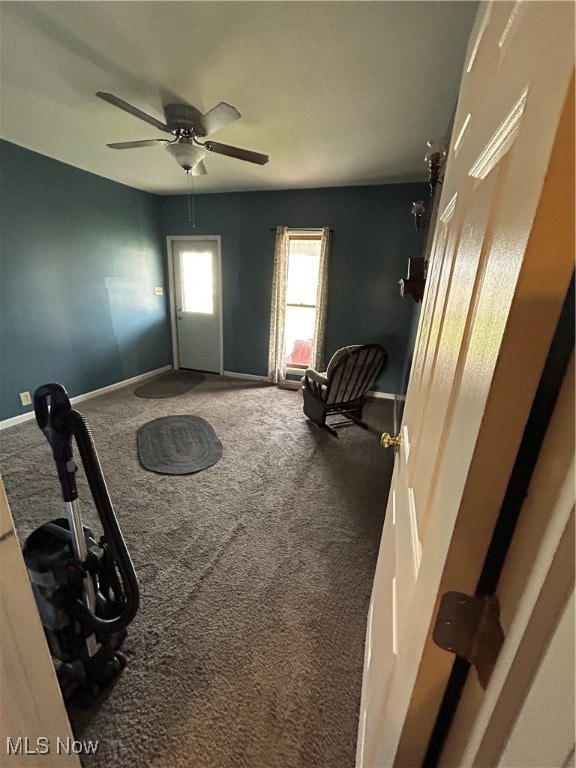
point(178, 445)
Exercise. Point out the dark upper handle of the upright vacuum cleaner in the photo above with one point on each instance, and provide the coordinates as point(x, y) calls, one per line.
point(51, 403)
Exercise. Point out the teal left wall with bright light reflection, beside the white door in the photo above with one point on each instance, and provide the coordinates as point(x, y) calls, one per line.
point(80, 257)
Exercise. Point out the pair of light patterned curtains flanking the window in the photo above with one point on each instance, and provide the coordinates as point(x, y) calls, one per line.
point(277, 352)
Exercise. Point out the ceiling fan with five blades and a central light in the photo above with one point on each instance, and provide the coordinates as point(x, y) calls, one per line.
point(188, 126)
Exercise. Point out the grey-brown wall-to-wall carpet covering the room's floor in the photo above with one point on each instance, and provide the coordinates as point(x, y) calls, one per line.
point(255, 576)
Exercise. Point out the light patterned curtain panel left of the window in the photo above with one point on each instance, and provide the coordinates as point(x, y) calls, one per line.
point(277, 354)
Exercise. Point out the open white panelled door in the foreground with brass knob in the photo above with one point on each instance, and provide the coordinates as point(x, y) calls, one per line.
point(499, 271)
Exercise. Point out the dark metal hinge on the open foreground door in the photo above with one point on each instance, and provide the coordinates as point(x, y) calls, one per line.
point(470, 627)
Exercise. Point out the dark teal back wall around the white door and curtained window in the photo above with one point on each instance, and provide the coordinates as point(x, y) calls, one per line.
point(373, 238)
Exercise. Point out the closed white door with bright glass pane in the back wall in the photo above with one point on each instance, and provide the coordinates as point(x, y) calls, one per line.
point(197, 303)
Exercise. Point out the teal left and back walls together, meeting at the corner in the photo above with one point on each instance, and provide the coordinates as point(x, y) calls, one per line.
point(80, 257)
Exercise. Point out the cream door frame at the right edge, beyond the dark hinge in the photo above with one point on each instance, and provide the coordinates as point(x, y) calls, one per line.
point(525, 717)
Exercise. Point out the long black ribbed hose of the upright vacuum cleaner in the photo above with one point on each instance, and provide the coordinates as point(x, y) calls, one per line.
point(76, 424)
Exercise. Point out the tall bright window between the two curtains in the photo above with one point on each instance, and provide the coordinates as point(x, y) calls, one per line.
point(301, 292)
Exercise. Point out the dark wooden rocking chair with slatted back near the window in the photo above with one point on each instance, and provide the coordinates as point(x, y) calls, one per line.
point(343, 387)
